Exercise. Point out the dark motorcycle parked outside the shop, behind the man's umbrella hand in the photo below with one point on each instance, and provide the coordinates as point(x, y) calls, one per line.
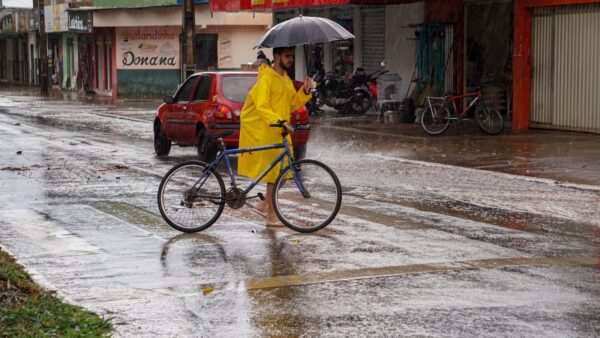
point(353, 97)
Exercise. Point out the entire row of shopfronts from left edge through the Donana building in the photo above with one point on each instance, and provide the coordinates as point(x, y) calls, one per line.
point(133, 47)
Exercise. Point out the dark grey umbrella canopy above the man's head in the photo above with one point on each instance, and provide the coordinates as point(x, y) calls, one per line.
point(303, 30)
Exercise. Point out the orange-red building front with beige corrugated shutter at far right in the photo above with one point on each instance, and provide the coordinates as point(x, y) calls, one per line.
point(556, 70)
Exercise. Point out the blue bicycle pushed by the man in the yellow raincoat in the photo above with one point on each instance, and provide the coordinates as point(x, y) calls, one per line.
point(307, 194)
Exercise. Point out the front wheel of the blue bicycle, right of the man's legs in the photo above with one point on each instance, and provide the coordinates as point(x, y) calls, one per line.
point(316, 209)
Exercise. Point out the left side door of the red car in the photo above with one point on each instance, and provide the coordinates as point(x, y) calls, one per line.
point(176, 116)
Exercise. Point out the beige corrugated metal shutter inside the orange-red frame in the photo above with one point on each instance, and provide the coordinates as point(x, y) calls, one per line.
point(565, 45)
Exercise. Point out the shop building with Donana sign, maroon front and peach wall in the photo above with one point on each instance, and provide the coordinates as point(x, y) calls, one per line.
point(143, 40)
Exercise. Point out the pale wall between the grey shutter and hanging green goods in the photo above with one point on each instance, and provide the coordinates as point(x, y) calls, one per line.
point(400, 53)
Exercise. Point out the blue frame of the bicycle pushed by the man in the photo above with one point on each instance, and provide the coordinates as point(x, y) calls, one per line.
point(225, 153)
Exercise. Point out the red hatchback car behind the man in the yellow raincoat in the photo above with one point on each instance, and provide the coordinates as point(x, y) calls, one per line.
point(211, 102)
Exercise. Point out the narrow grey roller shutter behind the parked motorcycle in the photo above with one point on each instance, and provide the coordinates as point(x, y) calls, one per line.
point(373, 44)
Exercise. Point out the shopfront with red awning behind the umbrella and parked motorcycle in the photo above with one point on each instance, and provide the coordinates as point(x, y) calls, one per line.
point(384, 30)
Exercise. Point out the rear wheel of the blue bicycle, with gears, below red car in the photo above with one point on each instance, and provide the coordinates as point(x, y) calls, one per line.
point(191, 197)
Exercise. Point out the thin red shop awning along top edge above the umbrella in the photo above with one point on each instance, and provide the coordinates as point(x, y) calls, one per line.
point(249, 5)
